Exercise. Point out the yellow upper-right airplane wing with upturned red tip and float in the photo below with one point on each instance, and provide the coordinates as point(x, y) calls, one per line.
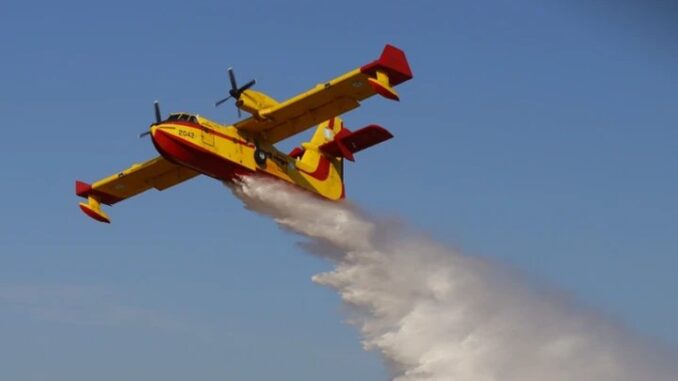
point(279, 121)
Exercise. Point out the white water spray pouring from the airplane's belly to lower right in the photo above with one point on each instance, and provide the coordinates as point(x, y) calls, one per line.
point(437, 315)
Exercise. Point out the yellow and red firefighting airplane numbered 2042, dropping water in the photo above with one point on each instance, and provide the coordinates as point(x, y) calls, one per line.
point(190, 145)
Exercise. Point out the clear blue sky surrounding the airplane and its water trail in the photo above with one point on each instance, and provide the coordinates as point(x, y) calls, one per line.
point(540, 133)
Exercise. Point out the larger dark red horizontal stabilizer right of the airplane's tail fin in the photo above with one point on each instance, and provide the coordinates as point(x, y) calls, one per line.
point(346, 143)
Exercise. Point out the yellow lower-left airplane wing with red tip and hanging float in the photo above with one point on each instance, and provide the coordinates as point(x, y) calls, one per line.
point(157, 173)
